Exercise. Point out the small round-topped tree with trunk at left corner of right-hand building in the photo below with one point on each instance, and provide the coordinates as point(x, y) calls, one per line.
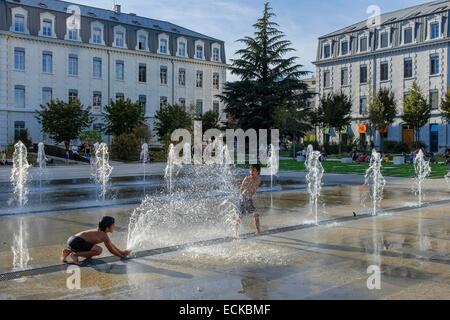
point(334, 112)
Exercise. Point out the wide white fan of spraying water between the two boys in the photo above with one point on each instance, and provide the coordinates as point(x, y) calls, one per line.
point(207, 208)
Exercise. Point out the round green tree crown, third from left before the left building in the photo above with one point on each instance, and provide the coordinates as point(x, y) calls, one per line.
point(171, 118)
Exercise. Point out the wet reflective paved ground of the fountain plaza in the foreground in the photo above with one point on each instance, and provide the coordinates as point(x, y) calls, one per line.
point(411, 246)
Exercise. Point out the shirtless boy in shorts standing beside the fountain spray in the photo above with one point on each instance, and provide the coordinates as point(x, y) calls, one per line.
point(249, 187)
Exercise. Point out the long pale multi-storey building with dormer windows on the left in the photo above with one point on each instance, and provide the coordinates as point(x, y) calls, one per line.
point(51, 49)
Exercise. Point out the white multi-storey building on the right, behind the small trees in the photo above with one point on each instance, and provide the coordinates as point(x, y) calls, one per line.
point(392, 52)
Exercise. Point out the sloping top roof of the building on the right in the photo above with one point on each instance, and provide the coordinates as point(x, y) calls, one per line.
point(395, 16)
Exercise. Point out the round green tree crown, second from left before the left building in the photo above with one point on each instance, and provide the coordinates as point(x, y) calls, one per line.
point(123, 116)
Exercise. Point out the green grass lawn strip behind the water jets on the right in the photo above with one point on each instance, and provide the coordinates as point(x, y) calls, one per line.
point(389, 169)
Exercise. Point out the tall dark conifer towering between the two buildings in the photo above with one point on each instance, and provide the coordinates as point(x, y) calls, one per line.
point(268, 79)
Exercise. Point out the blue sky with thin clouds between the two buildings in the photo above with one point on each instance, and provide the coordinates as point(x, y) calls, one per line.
point(303, 21)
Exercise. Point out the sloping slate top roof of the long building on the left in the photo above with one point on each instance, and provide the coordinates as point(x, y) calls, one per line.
point(110, 15)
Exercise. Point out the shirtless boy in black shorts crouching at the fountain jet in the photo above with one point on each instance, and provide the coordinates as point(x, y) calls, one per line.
point(86, 244)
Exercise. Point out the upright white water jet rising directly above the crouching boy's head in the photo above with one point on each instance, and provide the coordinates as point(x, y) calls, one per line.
point(102, 170)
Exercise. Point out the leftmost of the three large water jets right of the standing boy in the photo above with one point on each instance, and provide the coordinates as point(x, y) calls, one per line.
point(314, 177)
